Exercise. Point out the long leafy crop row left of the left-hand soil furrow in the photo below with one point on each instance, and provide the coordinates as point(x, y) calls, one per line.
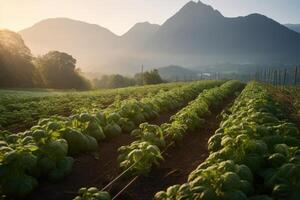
point(45, 150)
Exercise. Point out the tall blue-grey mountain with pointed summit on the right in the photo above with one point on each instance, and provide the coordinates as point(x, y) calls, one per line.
point(199, 30)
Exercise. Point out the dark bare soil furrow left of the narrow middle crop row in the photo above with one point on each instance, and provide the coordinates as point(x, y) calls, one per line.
point(90, 169)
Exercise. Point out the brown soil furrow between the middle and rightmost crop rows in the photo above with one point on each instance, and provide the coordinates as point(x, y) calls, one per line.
point(180, 161)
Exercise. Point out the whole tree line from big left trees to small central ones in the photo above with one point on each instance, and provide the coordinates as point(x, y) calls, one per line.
point(19, 69)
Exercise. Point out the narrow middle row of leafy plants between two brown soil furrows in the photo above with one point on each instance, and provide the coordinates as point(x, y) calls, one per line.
point(139, 157)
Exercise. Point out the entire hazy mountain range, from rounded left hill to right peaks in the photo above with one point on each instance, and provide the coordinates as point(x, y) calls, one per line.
point(197, 35)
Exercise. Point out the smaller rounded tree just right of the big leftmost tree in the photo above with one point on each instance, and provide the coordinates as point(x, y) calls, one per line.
point(58, 71)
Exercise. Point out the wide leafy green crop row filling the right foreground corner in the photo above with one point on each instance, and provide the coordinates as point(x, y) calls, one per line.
point(254, 155)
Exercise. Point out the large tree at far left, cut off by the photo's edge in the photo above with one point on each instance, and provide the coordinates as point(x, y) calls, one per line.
point(16, 68)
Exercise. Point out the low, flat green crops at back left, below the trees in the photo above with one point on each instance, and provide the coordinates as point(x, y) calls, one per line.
point(19, 110)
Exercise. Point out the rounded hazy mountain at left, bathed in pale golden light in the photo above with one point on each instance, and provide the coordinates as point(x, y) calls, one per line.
point(84, 41)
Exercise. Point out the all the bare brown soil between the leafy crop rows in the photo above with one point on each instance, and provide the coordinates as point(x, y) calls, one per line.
point(99, 170)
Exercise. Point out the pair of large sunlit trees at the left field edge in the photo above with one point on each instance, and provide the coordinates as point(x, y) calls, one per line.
point(18, 68)
